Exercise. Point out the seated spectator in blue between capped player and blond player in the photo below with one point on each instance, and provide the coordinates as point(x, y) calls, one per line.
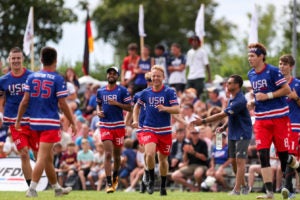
point(128, 162)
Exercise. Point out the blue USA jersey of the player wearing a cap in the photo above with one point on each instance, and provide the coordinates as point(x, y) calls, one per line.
point(114, 117)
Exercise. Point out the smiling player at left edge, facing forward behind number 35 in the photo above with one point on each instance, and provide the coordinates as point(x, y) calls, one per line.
point(12, 88)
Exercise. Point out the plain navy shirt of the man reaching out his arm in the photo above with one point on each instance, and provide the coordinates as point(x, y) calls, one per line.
point(239, 121)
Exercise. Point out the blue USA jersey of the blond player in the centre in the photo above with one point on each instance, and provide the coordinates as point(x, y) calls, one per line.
point(155, 121)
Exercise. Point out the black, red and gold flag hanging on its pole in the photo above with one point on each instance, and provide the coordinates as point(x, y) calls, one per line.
point(88, 45)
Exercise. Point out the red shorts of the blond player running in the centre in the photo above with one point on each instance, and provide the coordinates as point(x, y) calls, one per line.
point(163, 142)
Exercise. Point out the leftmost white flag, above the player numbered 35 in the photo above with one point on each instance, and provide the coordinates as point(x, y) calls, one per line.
point(29, 33)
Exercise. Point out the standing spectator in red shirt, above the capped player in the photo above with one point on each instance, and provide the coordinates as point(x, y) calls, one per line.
point(129, 62)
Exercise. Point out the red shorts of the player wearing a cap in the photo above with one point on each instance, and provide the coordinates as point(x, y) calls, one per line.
point(114, 135)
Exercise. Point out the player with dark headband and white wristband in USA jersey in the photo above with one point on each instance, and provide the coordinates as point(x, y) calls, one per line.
point(271, 112)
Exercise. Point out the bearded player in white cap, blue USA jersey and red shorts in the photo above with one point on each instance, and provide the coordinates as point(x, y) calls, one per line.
point(112, 99)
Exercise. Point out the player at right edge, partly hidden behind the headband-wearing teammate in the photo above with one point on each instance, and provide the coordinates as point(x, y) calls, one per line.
point(286, 64)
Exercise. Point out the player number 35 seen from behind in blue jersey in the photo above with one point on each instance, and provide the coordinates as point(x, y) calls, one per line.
point(44, 90)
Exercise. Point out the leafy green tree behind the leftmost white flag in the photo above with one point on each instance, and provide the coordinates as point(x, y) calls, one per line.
point(49, 15)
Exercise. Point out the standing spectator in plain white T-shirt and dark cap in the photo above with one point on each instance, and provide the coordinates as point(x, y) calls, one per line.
point(198, 64)
